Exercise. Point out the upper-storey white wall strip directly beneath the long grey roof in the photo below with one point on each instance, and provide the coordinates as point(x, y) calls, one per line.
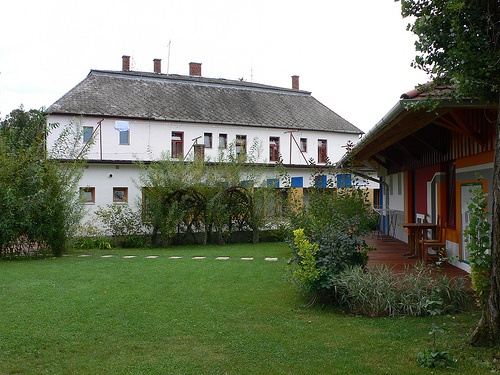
point(148, 139)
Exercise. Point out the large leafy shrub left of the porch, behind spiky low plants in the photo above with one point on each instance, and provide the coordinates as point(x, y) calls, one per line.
point(336, 222)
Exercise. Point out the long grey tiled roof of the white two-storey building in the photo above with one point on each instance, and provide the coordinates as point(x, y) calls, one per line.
point(197, 99)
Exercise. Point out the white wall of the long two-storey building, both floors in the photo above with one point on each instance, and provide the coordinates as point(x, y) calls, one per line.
point(110, 164)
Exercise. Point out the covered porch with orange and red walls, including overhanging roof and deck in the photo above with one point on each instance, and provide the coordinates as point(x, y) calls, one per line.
point(428, 164)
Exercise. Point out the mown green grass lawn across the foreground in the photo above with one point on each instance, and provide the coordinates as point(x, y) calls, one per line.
point(94, 315)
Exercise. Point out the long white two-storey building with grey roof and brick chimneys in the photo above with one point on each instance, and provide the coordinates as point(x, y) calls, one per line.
point(139, 115)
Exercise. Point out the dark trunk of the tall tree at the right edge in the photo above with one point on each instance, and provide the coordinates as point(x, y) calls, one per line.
point(487, 332)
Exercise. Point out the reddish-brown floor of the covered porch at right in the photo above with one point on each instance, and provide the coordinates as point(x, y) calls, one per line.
point(391, 253)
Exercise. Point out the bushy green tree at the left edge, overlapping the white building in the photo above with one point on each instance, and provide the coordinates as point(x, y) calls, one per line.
point(38, 197)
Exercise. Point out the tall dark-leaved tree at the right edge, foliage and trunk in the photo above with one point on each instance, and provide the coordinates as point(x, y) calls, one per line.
point(458, 44)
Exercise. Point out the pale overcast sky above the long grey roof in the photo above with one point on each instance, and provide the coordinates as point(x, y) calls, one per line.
point(354, 56)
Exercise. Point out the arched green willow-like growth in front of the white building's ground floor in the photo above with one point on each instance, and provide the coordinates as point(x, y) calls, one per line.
point(222, 196)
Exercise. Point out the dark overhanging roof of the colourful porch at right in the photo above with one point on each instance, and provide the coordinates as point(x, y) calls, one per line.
point(409, 137)
